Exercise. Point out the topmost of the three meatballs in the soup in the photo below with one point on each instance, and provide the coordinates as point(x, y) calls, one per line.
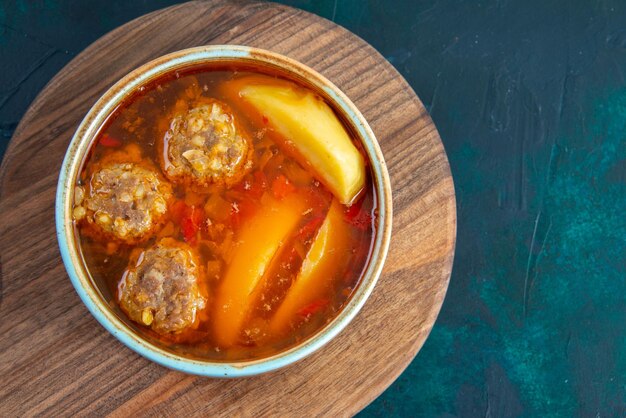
point(205, 146)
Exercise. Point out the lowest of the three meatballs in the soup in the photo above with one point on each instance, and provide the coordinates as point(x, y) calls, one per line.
point(161, 289)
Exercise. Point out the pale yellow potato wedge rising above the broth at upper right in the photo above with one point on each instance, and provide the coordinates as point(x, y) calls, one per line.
point(309, 125)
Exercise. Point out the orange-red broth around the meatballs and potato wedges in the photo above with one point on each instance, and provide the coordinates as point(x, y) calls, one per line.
point(210, 220)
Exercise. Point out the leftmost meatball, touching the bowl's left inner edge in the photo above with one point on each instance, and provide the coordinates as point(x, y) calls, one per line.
point(123, 200)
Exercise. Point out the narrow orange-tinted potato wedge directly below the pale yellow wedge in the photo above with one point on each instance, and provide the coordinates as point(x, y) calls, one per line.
point(313, 282)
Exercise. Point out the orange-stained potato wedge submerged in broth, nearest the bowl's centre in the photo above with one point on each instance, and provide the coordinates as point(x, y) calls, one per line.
point(258, 241)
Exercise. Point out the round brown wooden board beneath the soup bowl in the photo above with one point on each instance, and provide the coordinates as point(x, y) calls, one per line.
point(55, 359)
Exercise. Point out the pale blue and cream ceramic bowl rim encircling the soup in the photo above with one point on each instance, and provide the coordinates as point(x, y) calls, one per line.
point(84, 137)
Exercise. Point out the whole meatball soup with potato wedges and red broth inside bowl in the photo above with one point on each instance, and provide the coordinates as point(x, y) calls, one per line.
point(225, 213)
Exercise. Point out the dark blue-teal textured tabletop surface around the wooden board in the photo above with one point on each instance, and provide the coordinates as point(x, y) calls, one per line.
point(530, 100)
